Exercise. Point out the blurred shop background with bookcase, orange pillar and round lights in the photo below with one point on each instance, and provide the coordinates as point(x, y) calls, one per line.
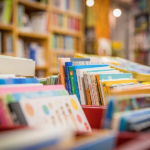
point(45, 30)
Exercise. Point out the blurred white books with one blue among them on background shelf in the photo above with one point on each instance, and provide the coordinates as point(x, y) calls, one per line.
point(31, 50)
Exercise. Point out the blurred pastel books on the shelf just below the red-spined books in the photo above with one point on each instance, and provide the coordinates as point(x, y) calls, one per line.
point(63, 42)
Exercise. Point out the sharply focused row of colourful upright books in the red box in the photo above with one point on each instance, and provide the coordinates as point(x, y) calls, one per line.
point(93, 81)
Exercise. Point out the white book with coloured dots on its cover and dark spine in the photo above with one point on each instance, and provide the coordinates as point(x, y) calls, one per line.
point(37, 110)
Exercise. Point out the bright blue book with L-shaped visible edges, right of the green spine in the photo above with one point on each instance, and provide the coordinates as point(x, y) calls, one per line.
point(75, 76)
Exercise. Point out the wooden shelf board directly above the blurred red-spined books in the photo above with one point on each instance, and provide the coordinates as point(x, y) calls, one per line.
point(68, 13)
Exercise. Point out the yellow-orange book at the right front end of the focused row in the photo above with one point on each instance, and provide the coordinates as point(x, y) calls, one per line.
point(105, 86)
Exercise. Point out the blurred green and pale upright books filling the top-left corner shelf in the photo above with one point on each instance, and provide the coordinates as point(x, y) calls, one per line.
point(5, 11)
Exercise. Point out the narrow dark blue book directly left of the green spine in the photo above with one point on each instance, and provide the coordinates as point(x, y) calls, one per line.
point(67, 64)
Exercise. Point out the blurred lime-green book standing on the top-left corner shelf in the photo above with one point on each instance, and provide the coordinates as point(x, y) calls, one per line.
point(7, 12)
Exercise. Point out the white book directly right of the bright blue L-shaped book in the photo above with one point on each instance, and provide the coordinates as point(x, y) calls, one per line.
point(80, 79)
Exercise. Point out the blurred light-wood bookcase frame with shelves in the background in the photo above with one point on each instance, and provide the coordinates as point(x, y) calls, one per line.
point(45, 39)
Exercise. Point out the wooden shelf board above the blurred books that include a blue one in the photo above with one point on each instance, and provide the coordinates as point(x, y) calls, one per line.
point(32, 35)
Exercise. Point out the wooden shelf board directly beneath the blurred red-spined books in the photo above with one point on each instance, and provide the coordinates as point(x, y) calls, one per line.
point(66, 32)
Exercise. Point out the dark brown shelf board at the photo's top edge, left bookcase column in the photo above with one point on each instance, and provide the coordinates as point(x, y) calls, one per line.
point(32, 4)
